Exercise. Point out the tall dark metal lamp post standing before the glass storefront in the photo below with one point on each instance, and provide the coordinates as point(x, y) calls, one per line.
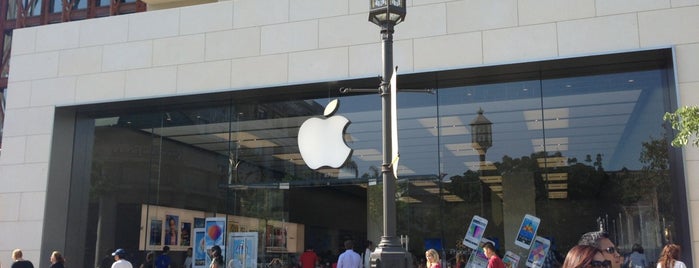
point(389, 253)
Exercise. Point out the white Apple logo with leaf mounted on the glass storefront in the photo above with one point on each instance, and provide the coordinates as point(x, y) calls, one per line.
point(321, 140)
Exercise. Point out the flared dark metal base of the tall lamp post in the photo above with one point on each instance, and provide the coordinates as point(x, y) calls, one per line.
point(390, 254)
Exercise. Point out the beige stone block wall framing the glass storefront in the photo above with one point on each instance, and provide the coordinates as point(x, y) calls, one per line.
point(244, 44)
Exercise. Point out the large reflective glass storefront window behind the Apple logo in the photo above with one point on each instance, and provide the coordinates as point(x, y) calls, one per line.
point(579, 143)
